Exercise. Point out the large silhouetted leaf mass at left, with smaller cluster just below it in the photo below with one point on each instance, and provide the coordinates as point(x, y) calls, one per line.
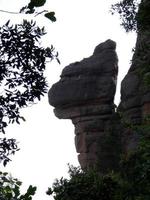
point(22, 81)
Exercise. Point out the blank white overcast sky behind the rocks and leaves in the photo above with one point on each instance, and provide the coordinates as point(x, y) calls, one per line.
point(47, 143)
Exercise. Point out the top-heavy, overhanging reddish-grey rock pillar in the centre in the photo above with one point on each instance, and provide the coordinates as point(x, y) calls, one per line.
point(85, 94)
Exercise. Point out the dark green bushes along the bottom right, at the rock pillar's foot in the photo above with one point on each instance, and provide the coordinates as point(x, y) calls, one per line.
point(131, 182)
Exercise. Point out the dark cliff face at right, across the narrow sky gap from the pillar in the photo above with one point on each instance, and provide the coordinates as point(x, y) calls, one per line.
point(135, 93)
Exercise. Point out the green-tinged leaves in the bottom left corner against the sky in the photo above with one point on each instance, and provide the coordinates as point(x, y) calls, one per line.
point(10, 188)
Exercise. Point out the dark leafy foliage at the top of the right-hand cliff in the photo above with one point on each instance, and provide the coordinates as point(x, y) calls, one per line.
point(134, 14)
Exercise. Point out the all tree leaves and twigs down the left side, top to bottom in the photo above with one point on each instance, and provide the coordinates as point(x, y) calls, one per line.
point(22, 82)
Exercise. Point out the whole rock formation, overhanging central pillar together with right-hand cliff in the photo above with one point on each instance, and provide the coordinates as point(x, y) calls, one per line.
point(85, 94)
